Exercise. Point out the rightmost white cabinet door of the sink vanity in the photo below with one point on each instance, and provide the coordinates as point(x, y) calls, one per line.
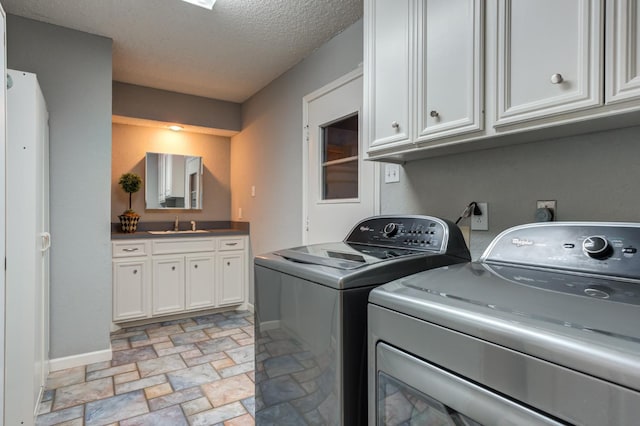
point(231, 282)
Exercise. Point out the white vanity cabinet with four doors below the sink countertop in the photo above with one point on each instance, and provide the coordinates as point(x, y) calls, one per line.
point(162, 276)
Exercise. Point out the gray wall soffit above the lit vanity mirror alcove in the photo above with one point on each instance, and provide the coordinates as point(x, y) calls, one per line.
point(160, 105)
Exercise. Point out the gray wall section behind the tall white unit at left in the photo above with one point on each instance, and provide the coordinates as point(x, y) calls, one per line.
point(74, 70)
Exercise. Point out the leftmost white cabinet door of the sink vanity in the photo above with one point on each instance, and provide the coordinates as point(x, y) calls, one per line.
point(130, 287)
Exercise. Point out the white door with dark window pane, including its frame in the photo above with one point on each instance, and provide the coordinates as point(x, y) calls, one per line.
point(341, 188)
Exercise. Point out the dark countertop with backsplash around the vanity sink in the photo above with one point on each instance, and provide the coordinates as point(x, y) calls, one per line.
point(214, 228)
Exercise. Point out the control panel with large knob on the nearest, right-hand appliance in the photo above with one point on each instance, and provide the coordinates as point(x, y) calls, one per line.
point(592, 247)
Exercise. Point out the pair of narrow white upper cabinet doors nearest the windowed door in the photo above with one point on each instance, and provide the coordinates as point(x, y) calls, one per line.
point(423, 70)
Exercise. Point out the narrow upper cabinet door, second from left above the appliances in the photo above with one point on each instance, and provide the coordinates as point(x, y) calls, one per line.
point(449, 67)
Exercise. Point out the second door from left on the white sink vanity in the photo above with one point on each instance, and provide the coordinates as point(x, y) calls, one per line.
point(168, 284)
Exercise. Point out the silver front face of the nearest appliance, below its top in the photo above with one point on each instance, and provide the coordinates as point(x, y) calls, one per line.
point(556, 392)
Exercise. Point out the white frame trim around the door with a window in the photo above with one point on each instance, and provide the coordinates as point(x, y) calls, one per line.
point(306, 100)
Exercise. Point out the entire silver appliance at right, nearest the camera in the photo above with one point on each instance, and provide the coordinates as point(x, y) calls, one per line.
point(544, 329)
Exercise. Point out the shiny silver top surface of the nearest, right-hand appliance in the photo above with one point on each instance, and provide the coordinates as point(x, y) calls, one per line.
point(595, 336)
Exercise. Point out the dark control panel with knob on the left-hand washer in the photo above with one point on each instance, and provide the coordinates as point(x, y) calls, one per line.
point(409, 232)
